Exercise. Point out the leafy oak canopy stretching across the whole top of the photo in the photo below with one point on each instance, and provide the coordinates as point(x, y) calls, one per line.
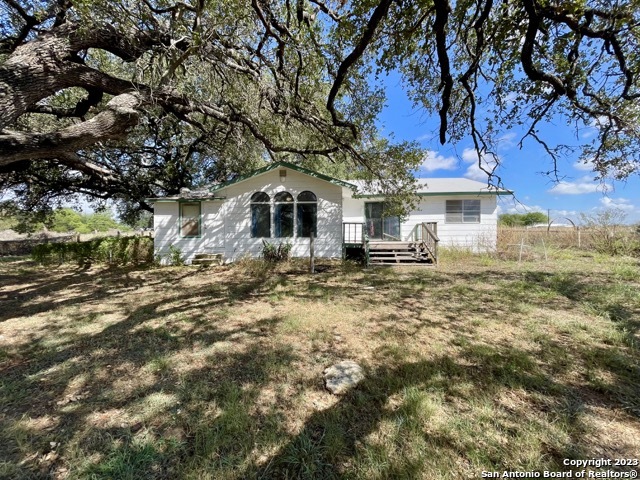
point(125, 99)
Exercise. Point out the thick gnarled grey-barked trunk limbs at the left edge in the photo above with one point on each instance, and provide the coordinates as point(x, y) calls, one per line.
point(39, 68)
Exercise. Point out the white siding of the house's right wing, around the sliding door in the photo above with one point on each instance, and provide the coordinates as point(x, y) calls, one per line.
point(478, 237)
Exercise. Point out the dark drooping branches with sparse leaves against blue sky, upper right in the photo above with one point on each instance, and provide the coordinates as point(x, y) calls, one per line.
point(524, 62)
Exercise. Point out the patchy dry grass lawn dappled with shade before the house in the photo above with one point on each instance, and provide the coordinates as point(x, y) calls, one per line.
point(479, 365)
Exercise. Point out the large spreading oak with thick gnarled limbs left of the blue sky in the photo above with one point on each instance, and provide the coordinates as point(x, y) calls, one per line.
point(129, 100)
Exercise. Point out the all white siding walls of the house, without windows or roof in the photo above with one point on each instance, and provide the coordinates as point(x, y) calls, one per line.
point(226, 224)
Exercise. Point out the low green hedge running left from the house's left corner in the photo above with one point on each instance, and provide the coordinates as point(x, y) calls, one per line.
point(112, 250)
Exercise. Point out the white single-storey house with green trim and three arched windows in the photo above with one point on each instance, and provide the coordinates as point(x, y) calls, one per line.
point(287, 203)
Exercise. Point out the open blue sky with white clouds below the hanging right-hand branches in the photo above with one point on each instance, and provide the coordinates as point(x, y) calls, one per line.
point(520, 170)
